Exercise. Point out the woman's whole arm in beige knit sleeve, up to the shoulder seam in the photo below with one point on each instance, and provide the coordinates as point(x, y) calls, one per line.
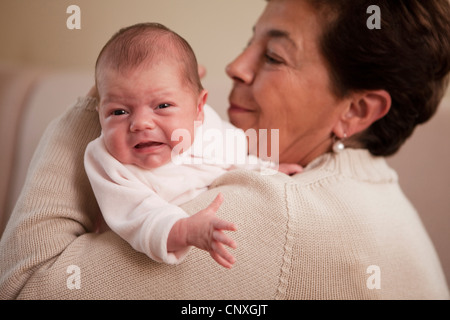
point(49, 249)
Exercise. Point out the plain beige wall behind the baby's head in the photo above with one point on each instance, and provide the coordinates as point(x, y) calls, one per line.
point(34, 32)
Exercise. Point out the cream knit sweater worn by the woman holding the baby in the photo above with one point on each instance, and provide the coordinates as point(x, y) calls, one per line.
point(341, 230)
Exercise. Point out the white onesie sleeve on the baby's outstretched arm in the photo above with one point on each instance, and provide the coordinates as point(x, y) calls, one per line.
point(130, 207)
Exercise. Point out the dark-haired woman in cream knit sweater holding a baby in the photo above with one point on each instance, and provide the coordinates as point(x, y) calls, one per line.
point(342, 96)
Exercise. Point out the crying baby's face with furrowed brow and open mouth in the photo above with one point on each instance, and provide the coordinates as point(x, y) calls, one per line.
point(140, 108)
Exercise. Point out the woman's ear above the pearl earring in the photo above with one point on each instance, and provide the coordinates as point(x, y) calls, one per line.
point(363, 109)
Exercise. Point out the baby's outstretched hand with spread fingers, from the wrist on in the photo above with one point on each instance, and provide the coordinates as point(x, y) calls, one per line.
point(205, 231)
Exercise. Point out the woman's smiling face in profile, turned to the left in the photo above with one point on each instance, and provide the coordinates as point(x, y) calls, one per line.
point(280, 81)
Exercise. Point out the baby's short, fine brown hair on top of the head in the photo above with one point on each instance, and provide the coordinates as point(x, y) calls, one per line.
point(149, 42)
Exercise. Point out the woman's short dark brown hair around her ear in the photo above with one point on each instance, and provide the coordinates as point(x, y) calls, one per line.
point(409, 57)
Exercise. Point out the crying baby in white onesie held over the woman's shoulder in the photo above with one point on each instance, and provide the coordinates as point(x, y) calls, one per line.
point(149, 88)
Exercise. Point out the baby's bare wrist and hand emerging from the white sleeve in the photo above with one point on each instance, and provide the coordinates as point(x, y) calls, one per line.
point(204, 230)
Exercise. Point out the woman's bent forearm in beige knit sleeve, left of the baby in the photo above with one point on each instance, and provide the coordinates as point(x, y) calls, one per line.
point(56, 204)
